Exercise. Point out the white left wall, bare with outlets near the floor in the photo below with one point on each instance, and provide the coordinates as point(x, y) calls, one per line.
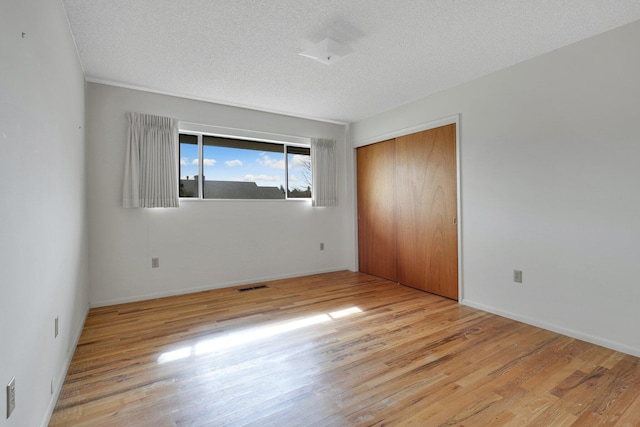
point(43, 243)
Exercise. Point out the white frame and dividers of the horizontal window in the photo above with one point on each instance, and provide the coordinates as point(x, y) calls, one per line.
point(200, 131)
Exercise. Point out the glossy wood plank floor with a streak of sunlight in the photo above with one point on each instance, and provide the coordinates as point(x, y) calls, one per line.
point(337, 349)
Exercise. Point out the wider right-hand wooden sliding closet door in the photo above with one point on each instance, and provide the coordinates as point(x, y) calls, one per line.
point(426, 195)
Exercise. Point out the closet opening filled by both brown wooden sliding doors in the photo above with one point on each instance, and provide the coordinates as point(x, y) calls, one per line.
point(407, 210)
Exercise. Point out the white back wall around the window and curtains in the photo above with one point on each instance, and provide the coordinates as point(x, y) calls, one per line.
point(202, 244)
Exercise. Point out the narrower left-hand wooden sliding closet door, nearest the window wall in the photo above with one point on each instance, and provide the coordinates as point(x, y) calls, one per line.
point(376, 224)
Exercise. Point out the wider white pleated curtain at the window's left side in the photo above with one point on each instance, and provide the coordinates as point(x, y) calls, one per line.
point(151, 168)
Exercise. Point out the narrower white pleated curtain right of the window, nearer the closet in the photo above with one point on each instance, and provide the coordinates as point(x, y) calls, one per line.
point(325, 179)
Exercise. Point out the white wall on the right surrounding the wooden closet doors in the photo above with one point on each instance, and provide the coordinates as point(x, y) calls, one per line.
point(550, 155)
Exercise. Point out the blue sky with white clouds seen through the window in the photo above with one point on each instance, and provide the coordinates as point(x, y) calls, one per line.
point(231, 164)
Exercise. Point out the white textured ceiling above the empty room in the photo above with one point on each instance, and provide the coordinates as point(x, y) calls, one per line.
point(245, 52)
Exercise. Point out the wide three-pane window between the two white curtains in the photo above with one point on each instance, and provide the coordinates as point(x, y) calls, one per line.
point(218, 167)
